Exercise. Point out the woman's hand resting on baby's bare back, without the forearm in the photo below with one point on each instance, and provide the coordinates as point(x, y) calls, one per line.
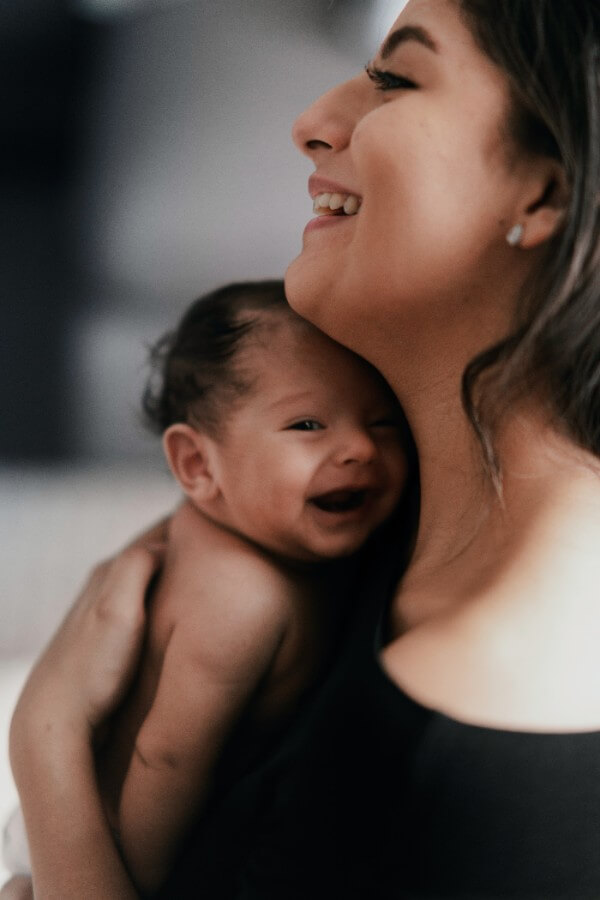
point(83, 673)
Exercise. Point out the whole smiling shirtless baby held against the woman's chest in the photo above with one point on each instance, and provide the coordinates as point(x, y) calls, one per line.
point(290, 450)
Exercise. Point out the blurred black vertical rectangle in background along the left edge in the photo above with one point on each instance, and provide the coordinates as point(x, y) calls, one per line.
point(43, 56)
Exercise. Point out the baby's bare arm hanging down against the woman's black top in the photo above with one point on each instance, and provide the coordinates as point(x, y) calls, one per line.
point(212, 666)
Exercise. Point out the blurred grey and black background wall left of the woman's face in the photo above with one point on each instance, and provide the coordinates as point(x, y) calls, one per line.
point(145, 157)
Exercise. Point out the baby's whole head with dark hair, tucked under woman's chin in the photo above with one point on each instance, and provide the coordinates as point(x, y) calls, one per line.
point(272, 429)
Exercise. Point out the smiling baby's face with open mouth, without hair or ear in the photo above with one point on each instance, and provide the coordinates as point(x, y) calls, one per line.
point(312, 461)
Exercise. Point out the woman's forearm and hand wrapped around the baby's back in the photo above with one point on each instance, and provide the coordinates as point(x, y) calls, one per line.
point(79, 679)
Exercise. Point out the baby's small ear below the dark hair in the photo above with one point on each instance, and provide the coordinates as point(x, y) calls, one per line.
point(189, 456)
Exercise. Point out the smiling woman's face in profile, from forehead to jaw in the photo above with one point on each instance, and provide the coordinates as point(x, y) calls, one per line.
point(424, 147)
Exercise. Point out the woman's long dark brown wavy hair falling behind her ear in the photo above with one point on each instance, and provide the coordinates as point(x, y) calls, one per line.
point(550, 52)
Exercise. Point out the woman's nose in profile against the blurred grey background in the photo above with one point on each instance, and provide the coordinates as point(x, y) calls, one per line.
point(328, 124)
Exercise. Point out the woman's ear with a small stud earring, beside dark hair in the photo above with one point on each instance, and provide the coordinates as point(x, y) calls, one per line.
point(545, 208)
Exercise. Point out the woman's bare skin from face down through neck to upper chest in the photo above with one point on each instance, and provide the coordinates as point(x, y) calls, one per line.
point(419, 282)
